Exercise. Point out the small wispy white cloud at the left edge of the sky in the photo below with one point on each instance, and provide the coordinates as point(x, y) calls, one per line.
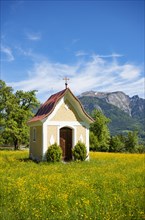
point(7, 54)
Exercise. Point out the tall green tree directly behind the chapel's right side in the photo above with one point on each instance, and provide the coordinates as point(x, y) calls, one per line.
point(100, 130)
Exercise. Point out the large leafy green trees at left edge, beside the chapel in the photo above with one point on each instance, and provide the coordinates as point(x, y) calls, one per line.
point(15, 111)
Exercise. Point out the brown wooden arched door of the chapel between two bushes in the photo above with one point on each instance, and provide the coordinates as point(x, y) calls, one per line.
point(66, 143)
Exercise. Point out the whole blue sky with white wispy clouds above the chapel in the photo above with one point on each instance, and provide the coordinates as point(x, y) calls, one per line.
point(99, 45)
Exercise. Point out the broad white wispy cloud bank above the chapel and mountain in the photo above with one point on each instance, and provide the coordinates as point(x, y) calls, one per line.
point(98, 74)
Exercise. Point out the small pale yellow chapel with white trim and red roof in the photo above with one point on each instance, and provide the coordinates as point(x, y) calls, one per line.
point(62, 120)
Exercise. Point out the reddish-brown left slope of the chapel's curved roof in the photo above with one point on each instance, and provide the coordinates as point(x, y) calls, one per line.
point(47, 108)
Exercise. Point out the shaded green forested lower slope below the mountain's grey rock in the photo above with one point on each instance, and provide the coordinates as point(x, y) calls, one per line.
point(120, 121)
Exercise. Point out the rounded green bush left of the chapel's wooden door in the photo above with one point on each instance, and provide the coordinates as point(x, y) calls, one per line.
point(54, 153)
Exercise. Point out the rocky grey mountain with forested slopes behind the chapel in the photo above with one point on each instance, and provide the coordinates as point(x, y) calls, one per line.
point(126, 113)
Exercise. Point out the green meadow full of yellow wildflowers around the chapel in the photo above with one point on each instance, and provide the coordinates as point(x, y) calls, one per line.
point(110, 186)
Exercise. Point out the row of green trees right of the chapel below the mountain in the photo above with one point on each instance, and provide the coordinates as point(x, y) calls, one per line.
point(101, 140)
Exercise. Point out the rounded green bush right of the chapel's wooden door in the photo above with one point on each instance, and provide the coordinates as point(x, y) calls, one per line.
point(79, 151)
